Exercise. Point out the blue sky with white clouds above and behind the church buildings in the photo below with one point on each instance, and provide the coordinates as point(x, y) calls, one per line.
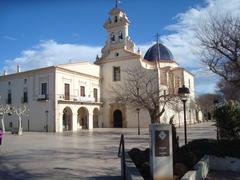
point(36, 33)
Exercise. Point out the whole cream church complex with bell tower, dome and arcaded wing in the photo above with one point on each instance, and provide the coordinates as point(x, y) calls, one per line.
point(75, 96)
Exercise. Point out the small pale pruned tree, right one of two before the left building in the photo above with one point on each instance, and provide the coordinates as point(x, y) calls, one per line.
point(20, 112)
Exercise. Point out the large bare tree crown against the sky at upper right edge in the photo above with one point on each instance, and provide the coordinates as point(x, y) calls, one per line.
point(219, 38)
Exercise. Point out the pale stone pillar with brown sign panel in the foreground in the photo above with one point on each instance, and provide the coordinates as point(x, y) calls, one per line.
point(161, 160)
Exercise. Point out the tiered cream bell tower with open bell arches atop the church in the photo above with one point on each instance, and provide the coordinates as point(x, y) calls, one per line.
point(117, 29)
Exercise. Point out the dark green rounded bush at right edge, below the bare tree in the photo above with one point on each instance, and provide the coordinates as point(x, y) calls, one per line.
point(228, 120)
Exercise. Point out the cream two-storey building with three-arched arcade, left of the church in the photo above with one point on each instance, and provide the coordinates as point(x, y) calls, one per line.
point(47, 108)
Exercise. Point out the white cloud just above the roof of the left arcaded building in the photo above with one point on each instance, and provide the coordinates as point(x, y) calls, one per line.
point(49, 52)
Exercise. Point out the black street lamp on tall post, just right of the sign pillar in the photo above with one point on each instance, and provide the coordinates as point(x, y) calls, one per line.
point(183, 92)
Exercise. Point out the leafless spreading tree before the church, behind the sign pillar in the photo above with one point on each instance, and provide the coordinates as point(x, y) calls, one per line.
point(141, 89)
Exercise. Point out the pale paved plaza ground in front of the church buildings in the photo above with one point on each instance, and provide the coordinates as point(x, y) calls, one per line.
point(82, 155)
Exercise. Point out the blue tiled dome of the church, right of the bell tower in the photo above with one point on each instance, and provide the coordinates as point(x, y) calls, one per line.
point(158, 52)
